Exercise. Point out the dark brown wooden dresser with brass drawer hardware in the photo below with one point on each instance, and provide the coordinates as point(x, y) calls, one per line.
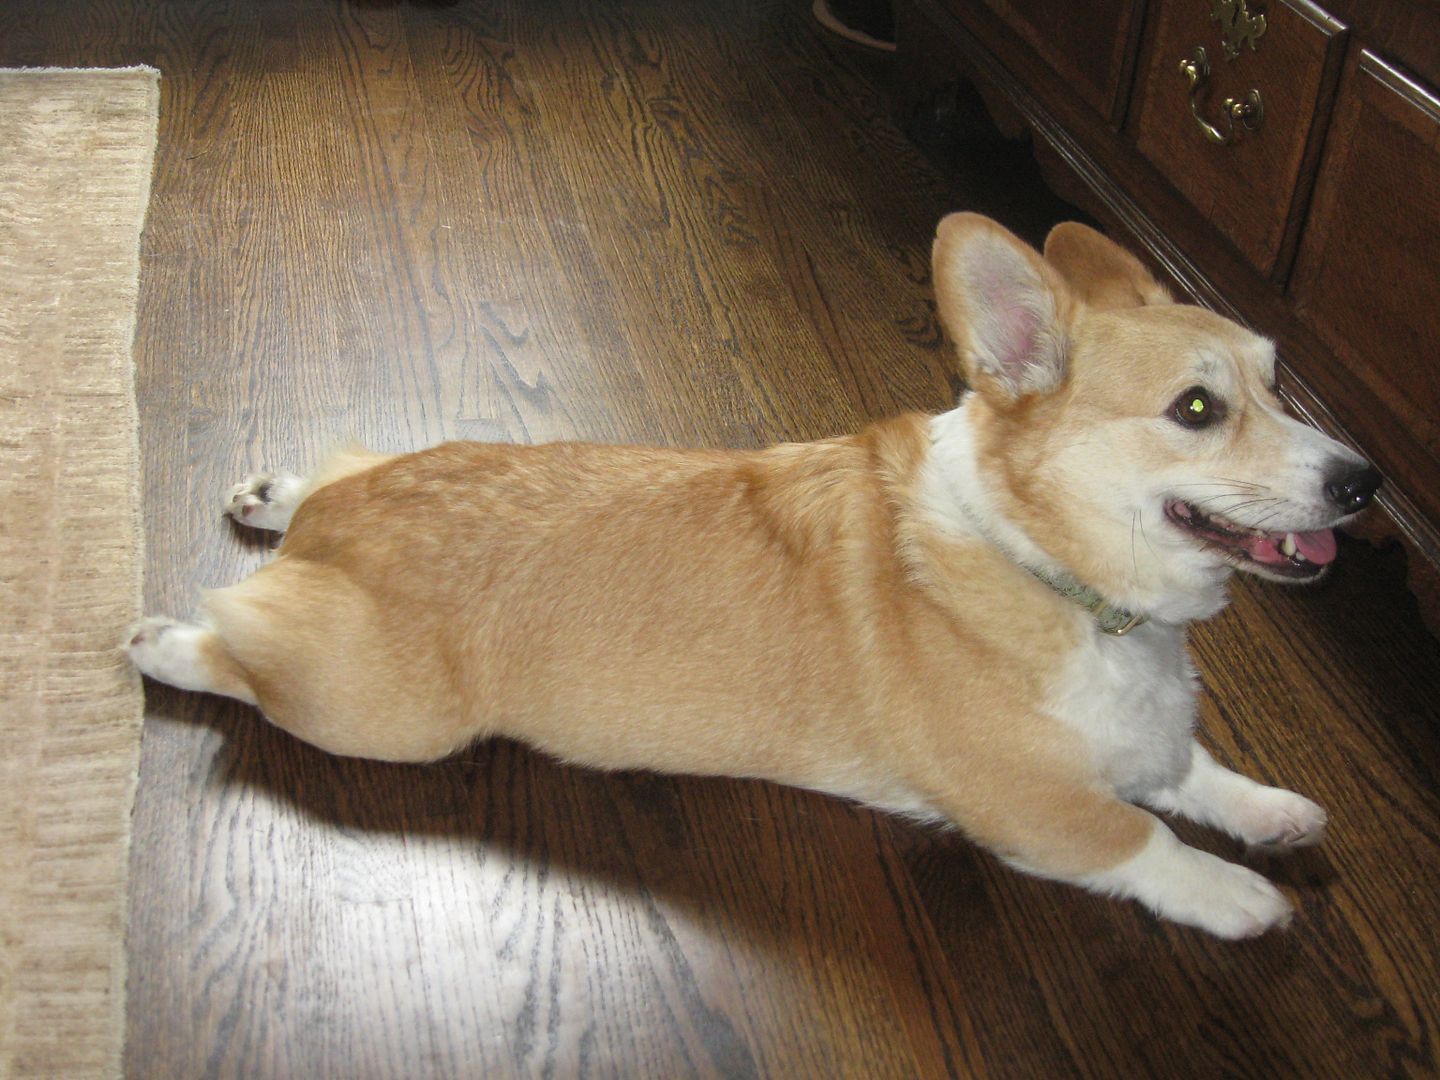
point(1277, 159)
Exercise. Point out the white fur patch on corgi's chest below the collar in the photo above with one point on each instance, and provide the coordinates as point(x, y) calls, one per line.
point(1134, 702)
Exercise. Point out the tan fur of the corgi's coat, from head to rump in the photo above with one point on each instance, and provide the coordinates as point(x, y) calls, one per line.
point(801, 614)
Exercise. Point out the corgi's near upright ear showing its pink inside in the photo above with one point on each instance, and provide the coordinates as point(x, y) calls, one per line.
point(1006, 310)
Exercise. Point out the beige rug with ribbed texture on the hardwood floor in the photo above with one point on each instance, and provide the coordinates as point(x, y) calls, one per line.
point(76, 158)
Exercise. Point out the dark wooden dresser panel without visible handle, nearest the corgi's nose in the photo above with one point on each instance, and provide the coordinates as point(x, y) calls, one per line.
point(1366, 274)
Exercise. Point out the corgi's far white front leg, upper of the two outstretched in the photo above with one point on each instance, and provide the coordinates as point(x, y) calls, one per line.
point(1264, 817)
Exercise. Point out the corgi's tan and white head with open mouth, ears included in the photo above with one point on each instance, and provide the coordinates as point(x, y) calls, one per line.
point(1137, 441)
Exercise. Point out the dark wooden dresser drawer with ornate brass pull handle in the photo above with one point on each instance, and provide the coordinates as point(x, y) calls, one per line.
point(1251, 188)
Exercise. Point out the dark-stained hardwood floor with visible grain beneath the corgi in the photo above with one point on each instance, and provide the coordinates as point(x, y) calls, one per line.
point(676, 222)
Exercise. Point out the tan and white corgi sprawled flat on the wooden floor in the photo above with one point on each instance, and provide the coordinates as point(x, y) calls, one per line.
point(977, 618)
